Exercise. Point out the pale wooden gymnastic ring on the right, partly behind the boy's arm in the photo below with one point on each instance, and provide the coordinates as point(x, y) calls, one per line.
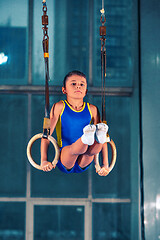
point(113, 160)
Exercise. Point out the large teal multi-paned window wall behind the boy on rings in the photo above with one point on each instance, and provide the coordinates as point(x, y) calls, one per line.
point(55, 205)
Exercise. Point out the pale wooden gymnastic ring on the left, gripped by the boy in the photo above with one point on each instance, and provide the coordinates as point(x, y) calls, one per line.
point(29, 148)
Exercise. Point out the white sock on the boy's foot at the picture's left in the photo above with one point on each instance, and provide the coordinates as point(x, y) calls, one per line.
point(88, 136)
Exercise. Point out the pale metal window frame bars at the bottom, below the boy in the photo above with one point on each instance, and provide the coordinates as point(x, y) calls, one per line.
point(86, 202)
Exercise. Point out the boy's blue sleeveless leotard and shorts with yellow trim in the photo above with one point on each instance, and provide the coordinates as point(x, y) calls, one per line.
point(69, 129)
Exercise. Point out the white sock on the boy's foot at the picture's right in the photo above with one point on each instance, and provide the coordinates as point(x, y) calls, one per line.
point(101, 131)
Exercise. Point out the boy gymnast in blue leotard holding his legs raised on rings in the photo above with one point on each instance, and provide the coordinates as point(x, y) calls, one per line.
point(80, 133)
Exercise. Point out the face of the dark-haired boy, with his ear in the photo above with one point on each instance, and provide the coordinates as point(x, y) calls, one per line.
point(76, 87)
